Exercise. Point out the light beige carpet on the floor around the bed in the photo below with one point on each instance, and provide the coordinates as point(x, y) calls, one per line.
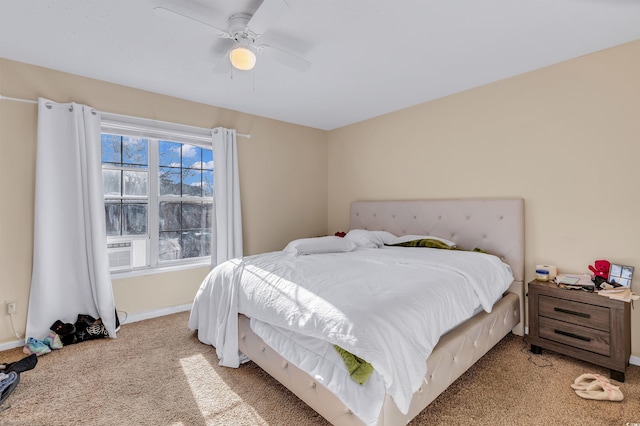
point(157, 373)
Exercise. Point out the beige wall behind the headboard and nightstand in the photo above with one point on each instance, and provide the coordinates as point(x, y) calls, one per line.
point(566, 138)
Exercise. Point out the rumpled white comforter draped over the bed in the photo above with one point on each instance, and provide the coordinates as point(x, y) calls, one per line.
point(389, 306)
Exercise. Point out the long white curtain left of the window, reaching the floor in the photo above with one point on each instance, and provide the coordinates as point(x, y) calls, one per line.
point(70, 262)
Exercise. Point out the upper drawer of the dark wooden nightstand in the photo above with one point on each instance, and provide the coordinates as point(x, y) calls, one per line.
point(578, 313)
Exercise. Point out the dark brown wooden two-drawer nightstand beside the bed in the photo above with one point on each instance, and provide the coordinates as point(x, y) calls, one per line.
point(583, 325)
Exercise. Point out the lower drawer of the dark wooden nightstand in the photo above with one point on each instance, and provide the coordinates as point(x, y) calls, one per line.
point(574, 335)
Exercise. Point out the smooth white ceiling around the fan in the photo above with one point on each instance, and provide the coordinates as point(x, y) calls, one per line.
point(369, 57)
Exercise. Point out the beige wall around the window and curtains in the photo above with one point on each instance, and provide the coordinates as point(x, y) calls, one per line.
point(283, 179)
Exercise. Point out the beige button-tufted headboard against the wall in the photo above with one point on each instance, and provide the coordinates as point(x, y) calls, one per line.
point(495, 225)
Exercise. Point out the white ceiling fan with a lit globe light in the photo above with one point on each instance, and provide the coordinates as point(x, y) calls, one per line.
point(242, 33)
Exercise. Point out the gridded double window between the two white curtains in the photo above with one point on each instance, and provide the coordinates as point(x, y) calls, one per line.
point(158, 196)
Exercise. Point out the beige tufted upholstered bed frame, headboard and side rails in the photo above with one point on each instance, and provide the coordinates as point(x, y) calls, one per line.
point(494, 225)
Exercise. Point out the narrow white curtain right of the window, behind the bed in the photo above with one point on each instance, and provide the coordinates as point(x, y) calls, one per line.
point(227, 227)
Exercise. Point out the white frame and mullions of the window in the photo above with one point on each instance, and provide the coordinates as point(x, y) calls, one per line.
point(157, 130)
